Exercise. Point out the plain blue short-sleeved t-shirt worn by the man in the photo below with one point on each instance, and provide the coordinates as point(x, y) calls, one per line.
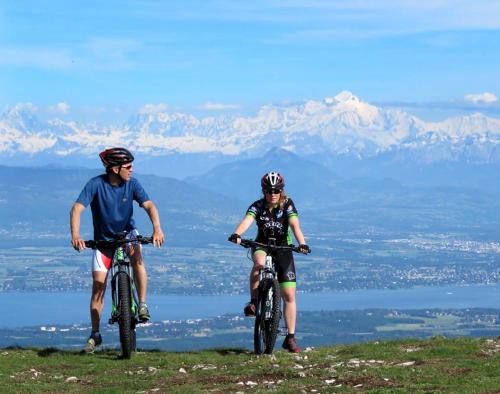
point(112, 206)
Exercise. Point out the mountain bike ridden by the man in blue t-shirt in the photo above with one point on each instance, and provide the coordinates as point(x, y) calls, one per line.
point(124, 307)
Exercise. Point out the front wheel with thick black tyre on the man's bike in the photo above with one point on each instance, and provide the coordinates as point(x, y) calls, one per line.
point(127, 334)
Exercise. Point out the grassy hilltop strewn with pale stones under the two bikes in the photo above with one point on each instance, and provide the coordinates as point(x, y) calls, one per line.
point(436, 365)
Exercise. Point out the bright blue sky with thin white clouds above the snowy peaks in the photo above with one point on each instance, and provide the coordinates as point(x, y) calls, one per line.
point(95, 59)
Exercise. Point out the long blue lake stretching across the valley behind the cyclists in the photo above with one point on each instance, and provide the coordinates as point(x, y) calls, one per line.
point(37, 309)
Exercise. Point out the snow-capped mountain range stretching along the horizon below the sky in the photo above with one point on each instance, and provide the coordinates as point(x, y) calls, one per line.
point(340, 125)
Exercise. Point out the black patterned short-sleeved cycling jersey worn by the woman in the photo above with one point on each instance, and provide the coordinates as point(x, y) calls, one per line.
point(274, 222)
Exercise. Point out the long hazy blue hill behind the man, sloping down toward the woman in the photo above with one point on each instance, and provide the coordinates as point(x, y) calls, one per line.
point(35, 204)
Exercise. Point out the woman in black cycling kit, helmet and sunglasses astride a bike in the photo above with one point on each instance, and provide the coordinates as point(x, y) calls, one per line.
point(275, 214)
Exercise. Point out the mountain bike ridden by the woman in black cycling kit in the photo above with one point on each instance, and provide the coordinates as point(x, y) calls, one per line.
point(268, 308)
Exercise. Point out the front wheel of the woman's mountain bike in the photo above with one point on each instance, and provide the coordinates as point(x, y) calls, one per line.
point(267, 316)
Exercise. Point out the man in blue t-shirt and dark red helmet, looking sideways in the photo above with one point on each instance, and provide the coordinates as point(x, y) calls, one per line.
point(111, 196)
